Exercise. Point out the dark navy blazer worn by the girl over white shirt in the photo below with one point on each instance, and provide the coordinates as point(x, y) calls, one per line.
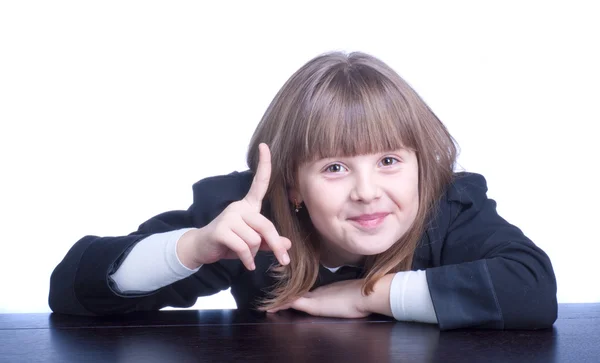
point(481, 271)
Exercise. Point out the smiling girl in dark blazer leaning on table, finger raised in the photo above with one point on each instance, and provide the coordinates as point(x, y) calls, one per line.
point(351, 206)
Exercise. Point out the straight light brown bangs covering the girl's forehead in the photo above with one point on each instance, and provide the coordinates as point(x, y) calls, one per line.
point(355, 114)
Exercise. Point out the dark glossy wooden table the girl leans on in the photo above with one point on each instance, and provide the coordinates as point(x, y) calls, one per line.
point(231, 335)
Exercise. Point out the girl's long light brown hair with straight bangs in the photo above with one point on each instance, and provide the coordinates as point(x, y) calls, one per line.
point(342, 104)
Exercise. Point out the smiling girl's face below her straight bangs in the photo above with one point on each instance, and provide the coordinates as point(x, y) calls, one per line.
point(360, 205)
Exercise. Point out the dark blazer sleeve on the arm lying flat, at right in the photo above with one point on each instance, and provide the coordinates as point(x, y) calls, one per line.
point(486, 273)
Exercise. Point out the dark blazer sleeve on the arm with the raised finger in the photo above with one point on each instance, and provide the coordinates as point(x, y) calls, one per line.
point(80, 284)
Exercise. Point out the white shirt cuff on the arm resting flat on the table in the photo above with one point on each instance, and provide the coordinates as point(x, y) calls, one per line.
point(410, 299)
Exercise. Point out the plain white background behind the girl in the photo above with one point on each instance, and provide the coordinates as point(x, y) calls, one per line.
point(111, 110)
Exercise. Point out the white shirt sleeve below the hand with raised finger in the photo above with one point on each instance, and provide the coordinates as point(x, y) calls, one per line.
point(152, 263)
